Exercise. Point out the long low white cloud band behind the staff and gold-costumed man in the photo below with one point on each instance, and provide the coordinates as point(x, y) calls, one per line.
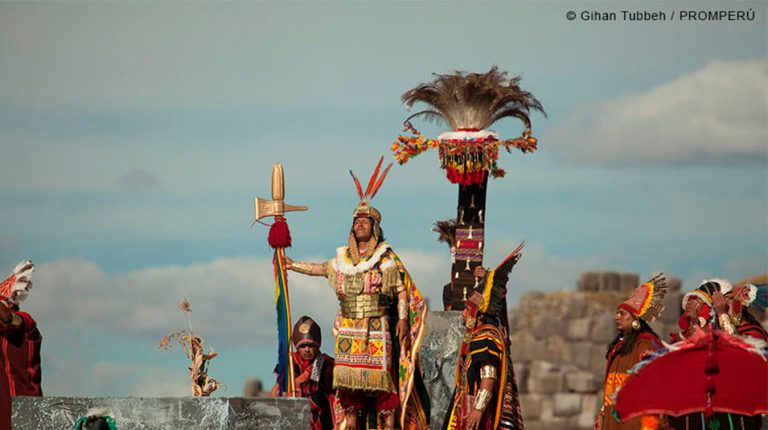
point(232, 299)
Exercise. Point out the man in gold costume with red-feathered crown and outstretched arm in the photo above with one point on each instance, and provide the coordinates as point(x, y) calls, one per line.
point(379, 326)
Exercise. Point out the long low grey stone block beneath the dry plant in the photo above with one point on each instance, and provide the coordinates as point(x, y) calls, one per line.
point(209, 413)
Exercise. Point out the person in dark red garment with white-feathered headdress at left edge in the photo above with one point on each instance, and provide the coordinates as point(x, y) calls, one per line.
point(20, 342)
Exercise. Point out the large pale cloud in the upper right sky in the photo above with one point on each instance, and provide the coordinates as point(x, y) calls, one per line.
point(716, 114)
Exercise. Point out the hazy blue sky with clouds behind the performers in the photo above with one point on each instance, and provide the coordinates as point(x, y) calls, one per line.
point(135, 136)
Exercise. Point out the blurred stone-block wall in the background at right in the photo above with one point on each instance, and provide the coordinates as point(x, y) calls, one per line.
point(559, 342)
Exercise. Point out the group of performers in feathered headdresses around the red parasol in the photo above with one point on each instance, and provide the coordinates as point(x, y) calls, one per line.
point(714, 307)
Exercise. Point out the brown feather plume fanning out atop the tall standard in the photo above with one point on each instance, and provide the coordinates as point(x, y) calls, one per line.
point(474, 100)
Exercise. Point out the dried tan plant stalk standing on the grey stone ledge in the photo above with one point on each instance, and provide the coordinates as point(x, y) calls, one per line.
point(202, 385)
